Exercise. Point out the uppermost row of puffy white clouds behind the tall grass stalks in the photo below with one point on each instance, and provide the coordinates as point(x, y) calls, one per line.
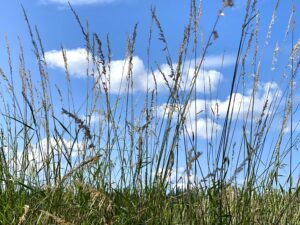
point(206, 79)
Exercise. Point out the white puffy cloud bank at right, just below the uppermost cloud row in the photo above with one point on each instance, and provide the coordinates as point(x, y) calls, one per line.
point(207, 126)
